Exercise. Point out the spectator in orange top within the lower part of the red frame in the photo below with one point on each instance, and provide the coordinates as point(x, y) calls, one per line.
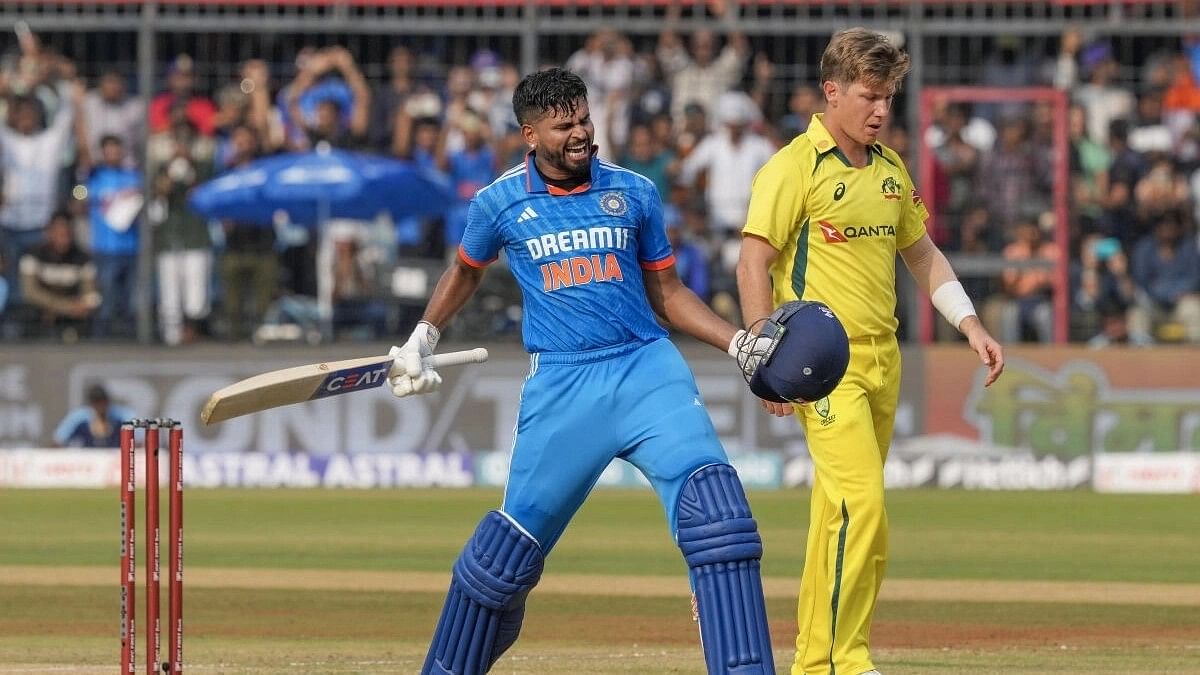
point(1025, 312)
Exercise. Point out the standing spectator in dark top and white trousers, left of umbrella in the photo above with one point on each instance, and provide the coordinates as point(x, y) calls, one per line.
point(183, 246)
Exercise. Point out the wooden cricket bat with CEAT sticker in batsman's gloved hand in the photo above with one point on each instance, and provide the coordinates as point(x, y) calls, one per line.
point(311, 383)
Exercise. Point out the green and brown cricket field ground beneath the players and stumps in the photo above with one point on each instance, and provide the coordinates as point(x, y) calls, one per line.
point(68, 542)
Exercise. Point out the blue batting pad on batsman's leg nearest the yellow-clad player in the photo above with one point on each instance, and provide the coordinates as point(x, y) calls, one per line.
point(721, 542)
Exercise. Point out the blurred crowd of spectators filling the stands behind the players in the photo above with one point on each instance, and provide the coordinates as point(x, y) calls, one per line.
point(87, 174)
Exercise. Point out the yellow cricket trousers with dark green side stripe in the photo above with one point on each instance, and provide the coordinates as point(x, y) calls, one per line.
point(849, 434)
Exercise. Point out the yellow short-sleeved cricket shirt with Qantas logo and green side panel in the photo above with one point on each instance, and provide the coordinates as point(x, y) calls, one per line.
point(837, 228)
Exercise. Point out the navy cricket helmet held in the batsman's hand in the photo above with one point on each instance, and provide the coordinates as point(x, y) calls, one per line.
point(807, 356)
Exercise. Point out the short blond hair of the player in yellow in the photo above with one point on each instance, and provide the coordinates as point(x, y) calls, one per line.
point(863, 56)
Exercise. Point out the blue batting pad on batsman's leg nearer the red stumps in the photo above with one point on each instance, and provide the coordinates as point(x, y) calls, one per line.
point(485, 605)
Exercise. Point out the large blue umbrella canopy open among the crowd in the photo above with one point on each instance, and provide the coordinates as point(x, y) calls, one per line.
point(313, 188)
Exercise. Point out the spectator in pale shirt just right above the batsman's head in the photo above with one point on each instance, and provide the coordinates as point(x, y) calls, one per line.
point(607, 65)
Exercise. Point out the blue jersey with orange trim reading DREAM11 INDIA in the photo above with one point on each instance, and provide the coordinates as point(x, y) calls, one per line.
point(578, 258)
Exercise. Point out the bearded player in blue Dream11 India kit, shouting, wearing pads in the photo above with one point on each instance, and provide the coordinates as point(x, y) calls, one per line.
point(587, 244)
